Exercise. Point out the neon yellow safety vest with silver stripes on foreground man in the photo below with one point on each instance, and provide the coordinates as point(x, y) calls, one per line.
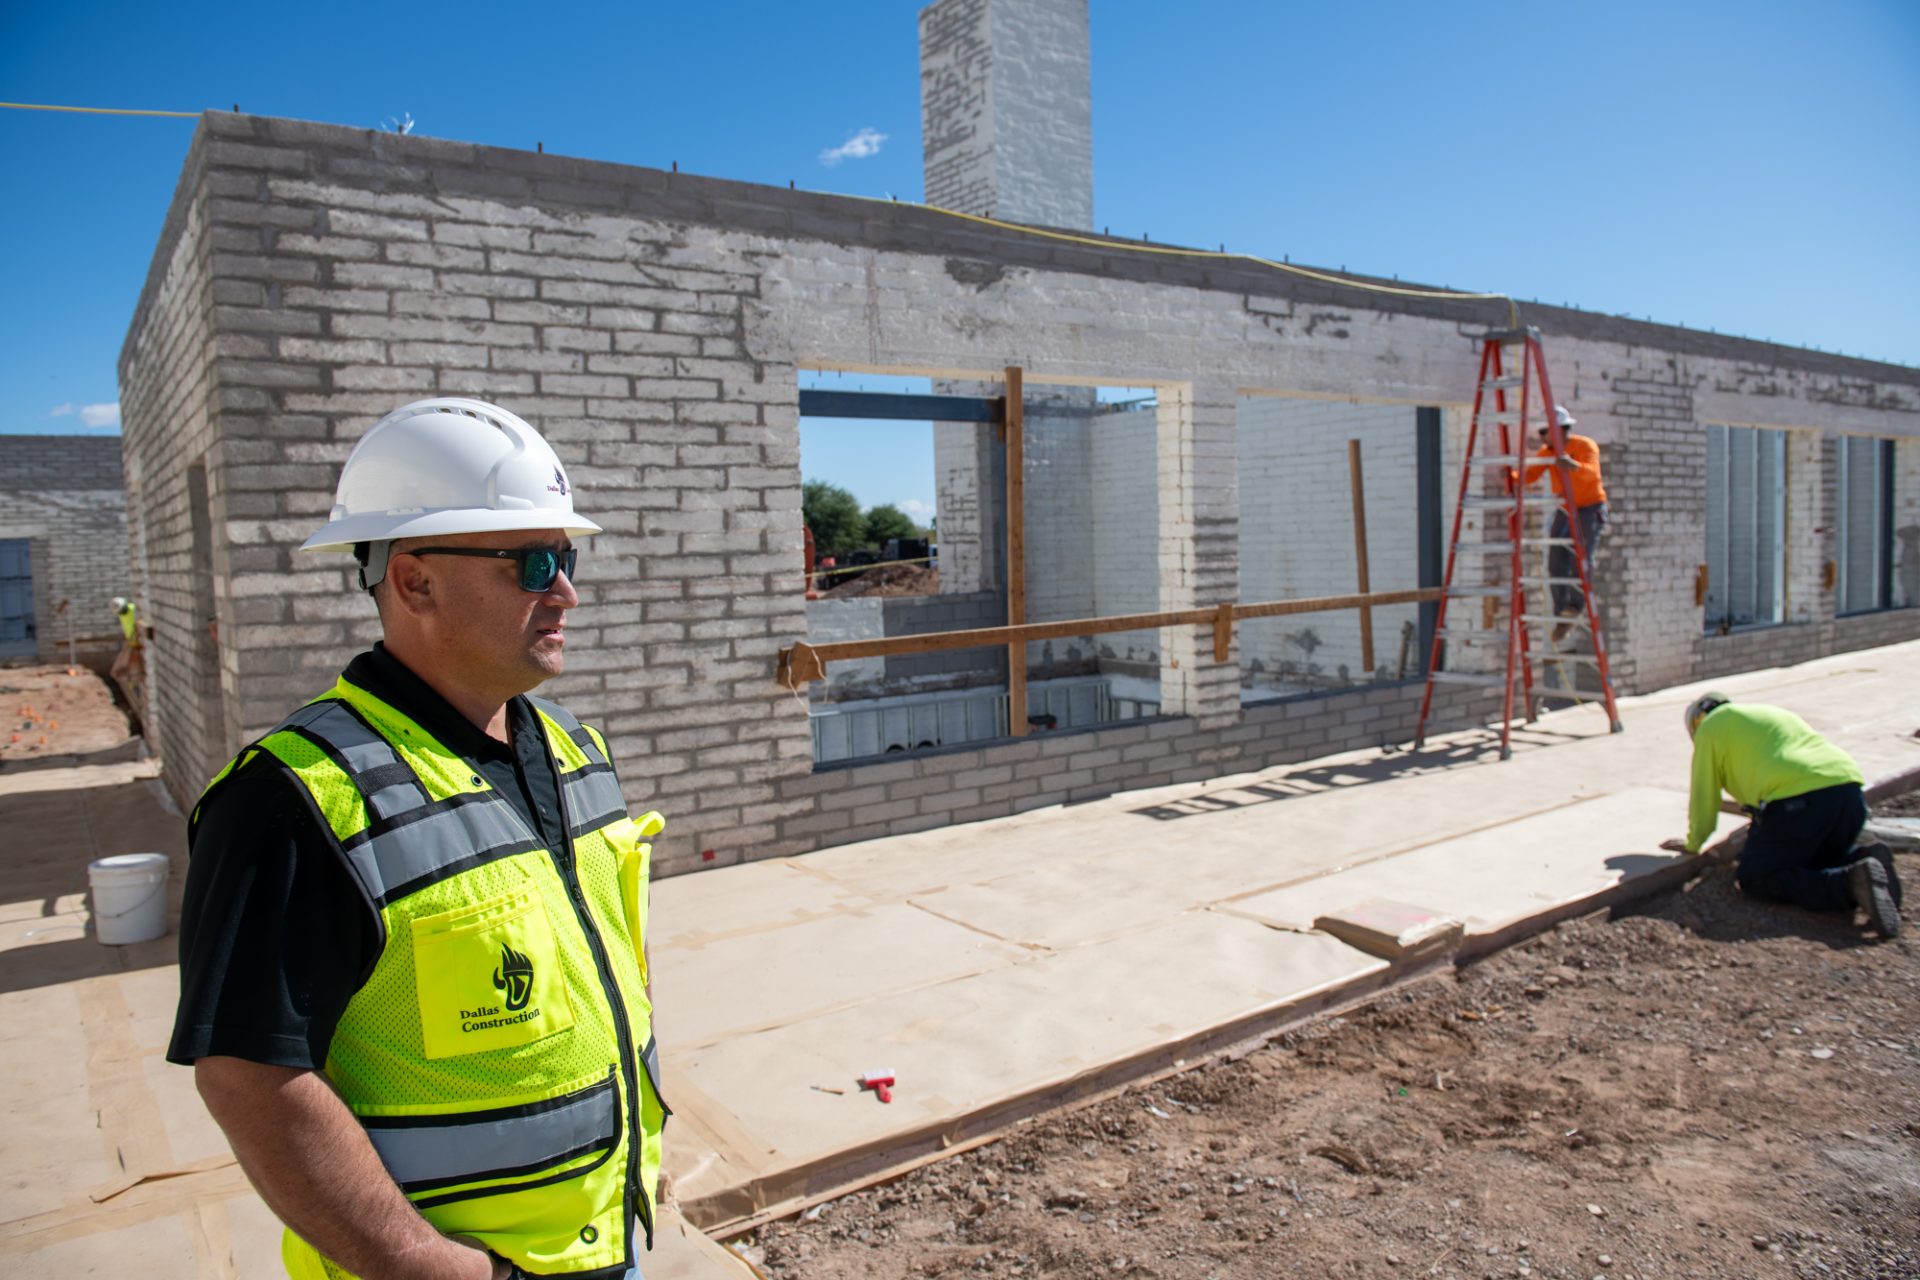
point(500, 1051)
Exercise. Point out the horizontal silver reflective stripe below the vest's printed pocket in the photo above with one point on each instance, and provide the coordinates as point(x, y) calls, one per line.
point(489, 1145)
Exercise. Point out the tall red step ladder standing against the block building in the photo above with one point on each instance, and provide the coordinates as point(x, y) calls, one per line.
point(1514, 394)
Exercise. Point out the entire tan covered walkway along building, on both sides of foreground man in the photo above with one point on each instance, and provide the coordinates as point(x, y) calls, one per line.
point(999, 968)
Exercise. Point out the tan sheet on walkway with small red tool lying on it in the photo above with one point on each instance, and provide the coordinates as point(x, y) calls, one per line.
point(978, 1043)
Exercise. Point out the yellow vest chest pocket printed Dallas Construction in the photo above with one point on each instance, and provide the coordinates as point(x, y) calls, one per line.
point(489, 976)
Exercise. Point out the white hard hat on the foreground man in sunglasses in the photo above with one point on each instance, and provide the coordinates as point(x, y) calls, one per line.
point(448, 467)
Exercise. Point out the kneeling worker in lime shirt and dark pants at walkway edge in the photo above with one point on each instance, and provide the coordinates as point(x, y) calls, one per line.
point(1808, 811)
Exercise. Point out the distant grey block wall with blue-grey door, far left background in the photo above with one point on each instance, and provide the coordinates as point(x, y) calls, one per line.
point(64, 496)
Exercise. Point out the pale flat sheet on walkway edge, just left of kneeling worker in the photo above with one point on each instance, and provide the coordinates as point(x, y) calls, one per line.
point(1495, 878)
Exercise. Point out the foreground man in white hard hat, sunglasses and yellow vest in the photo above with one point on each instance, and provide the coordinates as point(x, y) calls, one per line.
point(414, 982)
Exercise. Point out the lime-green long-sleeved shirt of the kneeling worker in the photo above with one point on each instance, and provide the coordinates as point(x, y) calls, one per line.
point(1758, 755)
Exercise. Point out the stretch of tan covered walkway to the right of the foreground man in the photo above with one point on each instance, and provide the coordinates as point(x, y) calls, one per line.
point(1011, 966)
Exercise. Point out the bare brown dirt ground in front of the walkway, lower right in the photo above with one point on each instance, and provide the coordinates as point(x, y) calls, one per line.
point(1698, 1087)
